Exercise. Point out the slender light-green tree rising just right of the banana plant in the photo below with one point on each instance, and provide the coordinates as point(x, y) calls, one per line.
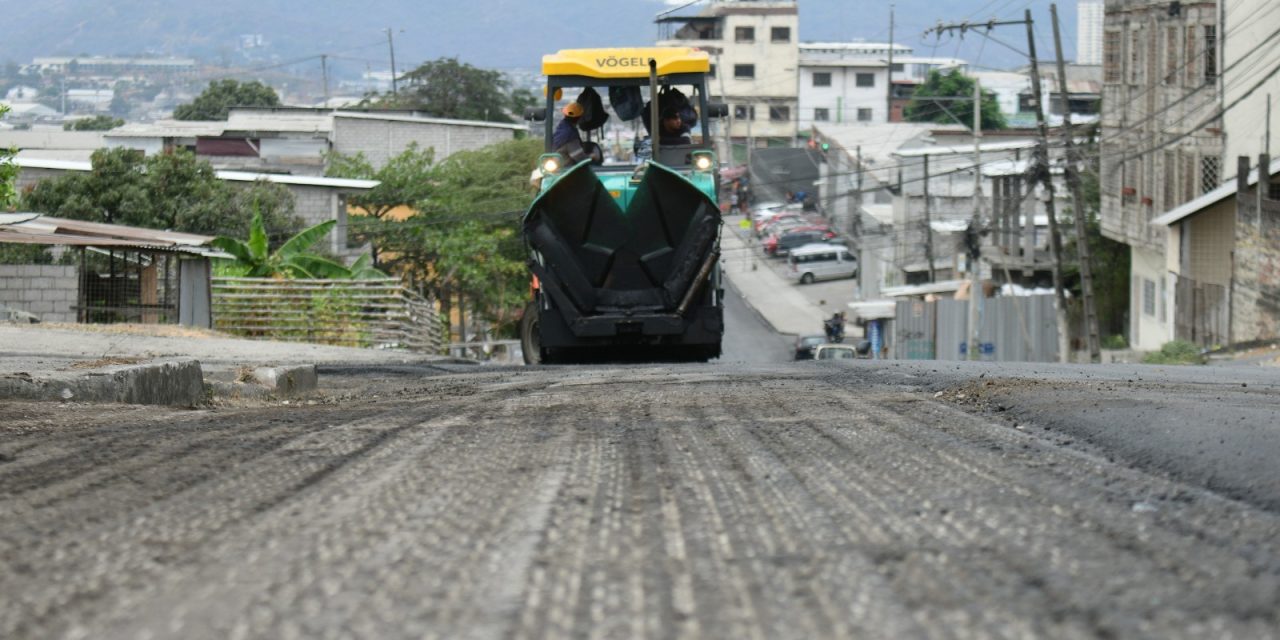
point(406, 180)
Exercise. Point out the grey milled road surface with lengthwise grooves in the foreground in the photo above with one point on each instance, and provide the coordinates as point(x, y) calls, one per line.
point(609, 502)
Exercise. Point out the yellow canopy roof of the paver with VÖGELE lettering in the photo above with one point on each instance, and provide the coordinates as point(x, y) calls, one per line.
point(625, 63)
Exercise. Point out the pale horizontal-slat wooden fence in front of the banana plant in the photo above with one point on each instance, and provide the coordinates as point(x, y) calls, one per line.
point(348, 313)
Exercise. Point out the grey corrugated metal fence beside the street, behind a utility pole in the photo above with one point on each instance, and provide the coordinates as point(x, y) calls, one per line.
point(1012, 330)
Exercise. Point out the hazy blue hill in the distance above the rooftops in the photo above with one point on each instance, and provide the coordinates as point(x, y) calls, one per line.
point(483, 33)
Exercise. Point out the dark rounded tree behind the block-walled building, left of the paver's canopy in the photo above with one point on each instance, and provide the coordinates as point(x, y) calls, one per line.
point(449, 89)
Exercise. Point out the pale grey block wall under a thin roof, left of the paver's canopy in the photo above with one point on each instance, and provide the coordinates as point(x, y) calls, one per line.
point(382, 140)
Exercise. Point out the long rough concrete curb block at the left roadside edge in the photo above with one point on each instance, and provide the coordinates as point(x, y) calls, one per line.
point(168, 382)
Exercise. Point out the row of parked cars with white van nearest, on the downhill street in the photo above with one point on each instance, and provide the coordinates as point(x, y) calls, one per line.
point(806, 240)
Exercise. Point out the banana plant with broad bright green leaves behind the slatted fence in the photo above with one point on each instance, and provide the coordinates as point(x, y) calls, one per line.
point(254, 259)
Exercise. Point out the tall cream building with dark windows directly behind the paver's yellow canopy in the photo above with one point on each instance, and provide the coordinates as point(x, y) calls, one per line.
point(755, 63)
